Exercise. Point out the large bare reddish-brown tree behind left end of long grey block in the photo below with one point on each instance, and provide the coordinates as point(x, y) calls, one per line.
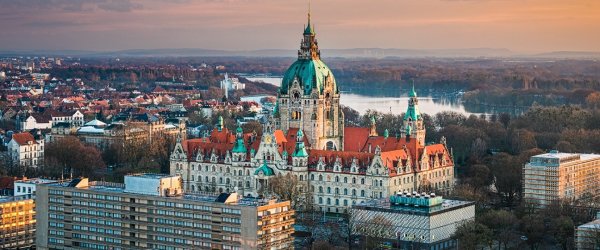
point(70, 156)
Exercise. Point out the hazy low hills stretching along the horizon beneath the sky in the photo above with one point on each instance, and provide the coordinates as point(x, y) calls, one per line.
point(347, 53)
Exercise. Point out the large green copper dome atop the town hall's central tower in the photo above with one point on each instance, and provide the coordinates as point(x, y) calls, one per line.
point(311, 74)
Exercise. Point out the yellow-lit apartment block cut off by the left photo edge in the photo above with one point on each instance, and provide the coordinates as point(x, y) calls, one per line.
point(17, 222)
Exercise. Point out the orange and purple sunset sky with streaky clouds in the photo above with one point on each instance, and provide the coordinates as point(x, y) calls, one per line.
point(106, 25)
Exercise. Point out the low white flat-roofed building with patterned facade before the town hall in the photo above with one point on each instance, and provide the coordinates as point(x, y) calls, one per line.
point(411, 220)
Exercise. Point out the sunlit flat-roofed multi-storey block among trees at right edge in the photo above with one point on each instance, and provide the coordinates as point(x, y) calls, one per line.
point(560, 176)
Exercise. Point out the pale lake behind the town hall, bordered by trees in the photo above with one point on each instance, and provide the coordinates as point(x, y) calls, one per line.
point(395, 100)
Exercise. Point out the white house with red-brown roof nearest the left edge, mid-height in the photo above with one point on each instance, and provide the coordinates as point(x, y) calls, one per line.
point(26, 150)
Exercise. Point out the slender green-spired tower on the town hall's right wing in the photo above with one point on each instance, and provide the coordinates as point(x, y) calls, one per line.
point(413, 126)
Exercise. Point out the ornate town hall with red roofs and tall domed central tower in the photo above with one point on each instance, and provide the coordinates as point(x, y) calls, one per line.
point(336, 166)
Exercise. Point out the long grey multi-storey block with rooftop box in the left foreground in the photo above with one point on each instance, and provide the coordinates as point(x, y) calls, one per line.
point(150, 211)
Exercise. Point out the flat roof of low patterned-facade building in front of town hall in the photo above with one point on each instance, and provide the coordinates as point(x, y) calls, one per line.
point(385, 206)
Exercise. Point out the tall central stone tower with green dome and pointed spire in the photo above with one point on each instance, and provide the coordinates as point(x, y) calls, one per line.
point(309, 98)
